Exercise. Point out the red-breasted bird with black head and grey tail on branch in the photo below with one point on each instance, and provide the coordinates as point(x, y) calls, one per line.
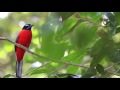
point(24, 38)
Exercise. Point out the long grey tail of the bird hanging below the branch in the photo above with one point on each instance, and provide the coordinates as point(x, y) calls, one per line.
point(19, 68)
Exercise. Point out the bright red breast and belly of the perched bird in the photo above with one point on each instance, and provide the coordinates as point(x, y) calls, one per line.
point(24, 38)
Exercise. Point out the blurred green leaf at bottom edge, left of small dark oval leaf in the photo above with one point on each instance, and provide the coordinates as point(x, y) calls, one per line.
point(89, 72)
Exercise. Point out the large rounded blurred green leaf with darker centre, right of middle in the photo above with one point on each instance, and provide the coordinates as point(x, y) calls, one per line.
point(83, 35)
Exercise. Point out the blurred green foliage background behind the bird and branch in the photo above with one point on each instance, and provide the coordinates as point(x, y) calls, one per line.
point(90, 39)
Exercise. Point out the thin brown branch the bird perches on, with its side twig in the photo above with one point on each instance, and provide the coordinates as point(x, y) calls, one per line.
point(46, 58)
